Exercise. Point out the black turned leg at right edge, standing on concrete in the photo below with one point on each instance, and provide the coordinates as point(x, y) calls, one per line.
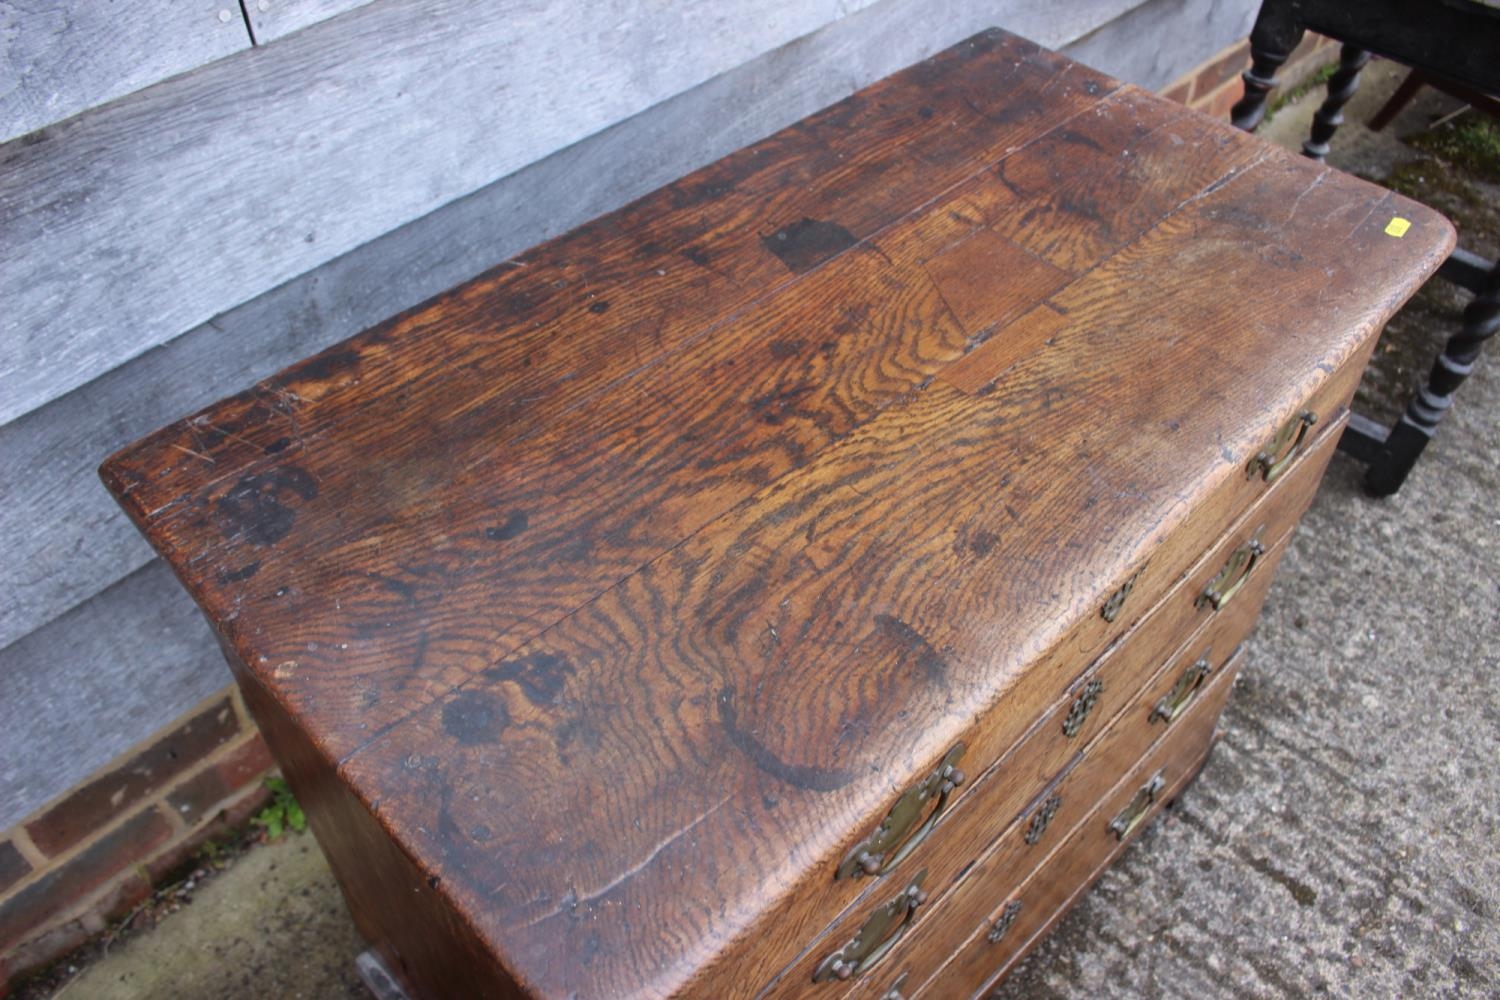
point(1420, 424)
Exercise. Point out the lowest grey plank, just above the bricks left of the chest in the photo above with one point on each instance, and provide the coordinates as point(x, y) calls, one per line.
point(100, 680)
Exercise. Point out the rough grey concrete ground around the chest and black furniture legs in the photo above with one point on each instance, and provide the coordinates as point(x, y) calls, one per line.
point(1343, 840)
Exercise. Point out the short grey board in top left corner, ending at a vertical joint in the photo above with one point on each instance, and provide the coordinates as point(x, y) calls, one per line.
point(61, 58)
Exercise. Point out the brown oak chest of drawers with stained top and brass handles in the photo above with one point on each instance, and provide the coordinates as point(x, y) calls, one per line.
point(803, 581)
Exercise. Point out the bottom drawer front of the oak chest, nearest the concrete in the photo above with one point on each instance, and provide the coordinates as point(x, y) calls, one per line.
point(1001, 921)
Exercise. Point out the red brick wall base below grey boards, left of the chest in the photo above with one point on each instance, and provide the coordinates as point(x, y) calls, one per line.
point(98, 851)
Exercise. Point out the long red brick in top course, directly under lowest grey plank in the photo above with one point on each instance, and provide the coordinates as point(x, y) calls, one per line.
point(122, 789)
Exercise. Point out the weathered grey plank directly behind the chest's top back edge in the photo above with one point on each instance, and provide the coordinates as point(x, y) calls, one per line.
point(68, 540)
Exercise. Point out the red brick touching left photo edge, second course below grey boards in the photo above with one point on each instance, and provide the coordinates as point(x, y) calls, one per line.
point(62, 888)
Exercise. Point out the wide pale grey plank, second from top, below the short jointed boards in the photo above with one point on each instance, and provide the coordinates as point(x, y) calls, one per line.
point(224, 184)
